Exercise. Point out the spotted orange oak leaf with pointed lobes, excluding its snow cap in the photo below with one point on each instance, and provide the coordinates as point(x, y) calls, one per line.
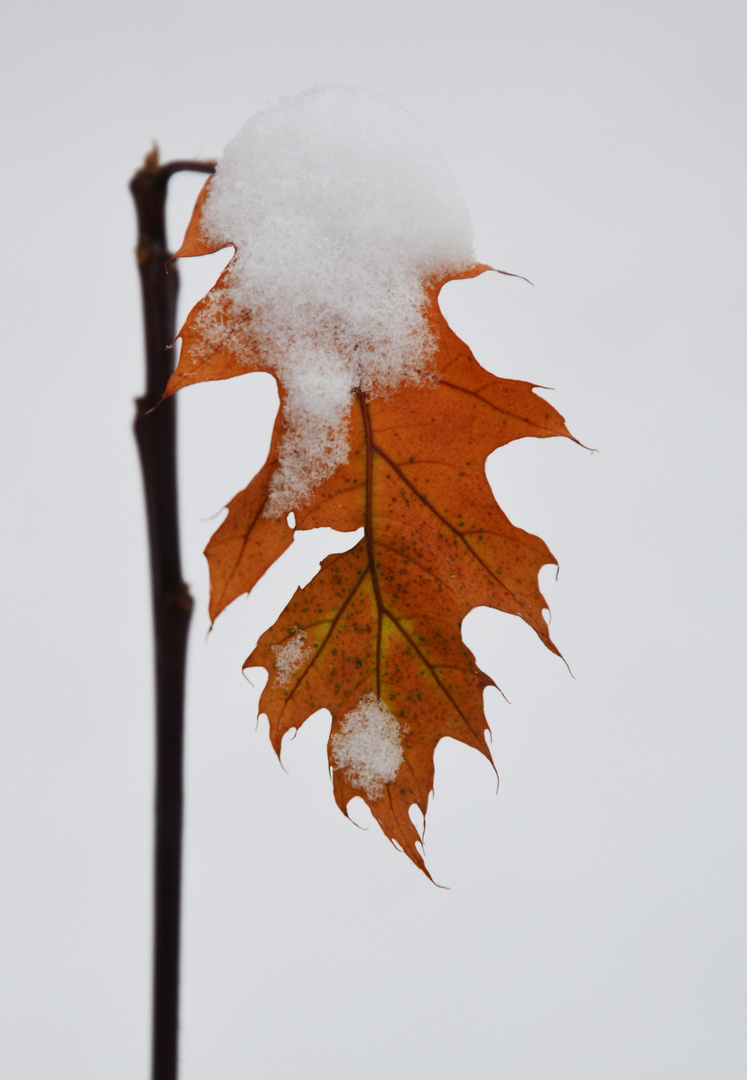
point(375, 638)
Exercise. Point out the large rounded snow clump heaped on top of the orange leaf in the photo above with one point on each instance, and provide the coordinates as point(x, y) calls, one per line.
point(341, 208)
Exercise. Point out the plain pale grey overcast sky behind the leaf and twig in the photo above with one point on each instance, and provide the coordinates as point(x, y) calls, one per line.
point(594, 926)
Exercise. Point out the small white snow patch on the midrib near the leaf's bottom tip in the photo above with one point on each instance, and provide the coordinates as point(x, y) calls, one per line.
point(369, 747)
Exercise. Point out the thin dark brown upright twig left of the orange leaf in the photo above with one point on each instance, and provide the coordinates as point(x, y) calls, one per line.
point(156, 436)
